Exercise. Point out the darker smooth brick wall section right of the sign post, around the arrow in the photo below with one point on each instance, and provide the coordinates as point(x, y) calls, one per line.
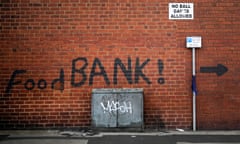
point(219, 98)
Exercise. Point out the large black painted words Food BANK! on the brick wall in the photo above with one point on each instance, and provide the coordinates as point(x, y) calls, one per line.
point(79, 75)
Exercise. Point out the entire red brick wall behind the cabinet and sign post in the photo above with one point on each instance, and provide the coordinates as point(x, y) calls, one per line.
point(53, 53)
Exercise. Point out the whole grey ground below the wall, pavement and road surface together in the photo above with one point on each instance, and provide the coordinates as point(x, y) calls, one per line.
point(89, 137)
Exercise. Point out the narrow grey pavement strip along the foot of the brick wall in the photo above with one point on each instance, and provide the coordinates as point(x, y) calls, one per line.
point(72, 133)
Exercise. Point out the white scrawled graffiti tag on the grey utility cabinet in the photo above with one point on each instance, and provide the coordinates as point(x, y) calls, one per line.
point(112, 106)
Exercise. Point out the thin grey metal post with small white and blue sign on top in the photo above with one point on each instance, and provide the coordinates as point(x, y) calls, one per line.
point(194, 42)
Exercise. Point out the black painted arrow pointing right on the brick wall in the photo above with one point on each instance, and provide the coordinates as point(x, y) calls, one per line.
point(219, 69)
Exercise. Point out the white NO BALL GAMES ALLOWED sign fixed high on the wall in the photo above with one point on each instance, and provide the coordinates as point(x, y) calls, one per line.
point(180, 11)
